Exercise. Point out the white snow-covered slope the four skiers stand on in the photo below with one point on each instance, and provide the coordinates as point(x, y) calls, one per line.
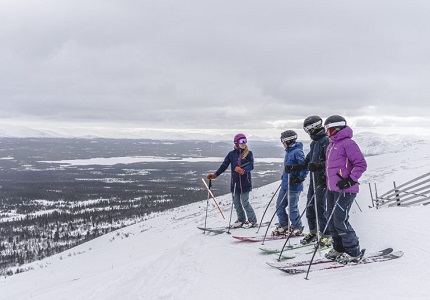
point(167, 257)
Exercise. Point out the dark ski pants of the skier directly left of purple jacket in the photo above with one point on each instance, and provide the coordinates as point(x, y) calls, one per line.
point(311, 215)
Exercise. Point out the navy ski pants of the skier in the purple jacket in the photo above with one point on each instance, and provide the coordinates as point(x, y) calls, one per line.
point(344, 237)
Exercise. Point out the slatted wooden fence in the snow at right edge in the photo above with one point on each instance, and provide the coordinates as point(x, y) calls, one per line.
point(415, 191)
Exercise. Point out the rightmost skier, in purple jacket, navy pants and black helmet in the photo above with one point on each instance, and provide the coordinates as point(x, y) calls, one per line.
point(345, 164)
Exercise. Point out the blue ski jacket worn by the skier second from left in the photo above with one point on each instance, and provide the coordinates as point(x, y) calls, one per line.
point(294, 156)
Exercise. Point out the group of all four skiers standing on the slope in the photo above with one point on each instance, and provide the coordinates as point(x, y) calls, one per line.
point(335, 163)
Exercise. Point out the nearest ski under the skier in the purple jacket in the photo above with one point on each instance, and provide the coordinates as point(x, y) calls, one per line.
point(334, 265)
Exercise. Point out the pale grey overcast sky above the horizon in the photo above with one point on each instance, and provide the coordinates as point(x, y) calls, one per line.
point(224, 66)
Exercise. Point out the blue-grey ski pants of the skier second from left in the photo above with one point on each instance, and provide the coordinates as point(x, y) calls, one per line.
point(281, 205)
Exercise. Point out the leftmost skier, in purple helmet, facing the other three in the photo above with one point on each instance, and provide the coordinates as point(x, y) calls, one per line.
point(241, 161)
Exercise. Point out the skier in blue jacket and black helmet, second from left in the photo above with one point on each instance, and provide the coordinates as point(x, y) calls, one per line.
point(292, 186)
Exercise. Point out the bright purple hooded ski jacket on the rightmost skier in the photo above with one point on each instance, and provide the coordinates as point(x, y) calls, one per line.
point(344, 157)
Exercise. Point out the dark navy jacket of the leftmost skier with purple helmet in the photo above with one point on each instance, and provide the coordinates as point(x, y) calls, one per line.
point(243, 182)
